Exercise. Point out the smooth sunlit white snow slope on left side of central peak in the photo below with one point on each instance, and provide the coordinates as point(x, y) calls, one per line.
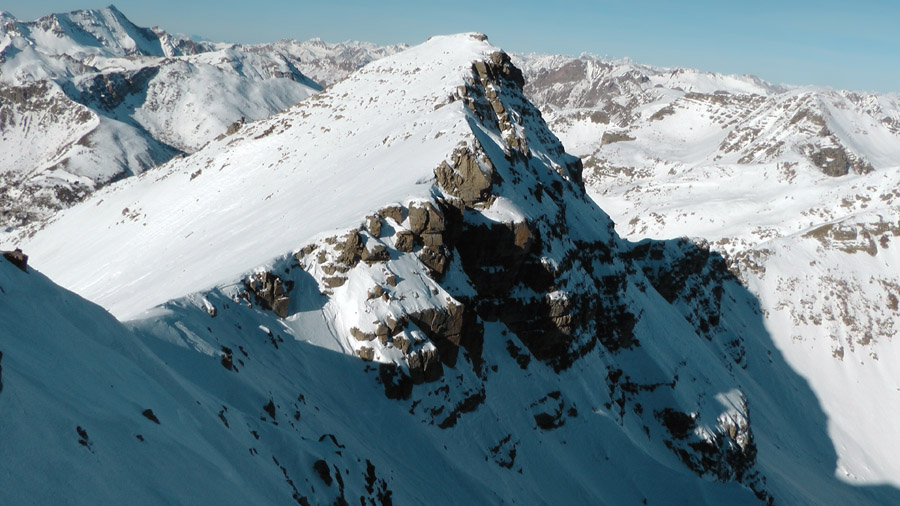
point(398, 115)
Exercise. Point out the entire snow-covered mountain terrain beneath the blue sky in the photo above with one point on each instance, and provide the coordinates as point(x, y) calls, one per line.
point(451, 276)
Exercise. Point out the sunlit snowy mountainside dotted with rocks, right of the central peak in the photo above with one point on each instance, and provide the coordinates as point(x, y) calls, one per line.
point(796, 186)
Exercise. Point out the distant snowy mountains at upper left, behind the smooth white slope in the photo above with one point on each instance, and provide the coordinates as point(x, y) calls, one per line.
point(87, 97)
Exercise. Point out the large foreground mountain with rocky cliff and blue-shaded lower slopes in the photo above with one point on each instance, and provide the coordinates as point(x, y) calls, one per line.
point(396, 291)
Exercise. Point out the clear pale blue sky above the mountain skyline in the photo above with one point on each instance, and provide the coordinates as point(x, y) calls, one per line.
point(840, 44)
